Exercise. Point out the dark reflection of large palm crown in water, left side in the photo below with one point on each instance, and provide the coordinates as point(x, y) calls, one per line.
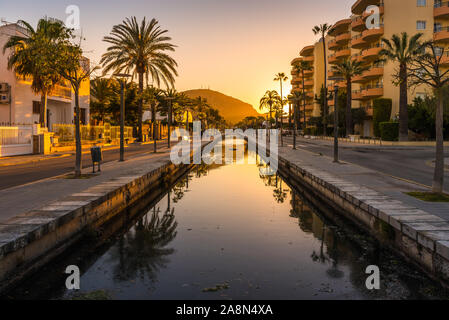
point(142, 252)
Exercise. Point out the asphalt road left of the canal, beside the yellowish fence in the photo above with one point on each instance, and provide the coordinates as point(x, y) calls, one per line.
point(16, 175)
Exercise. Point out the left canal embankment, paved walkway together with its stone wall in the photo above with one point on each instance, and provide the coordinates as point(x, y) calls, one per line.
point(41, 220)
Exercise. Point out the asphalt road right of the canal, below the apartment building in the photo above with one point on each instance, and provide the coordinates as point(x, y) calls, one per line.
point(411, 163)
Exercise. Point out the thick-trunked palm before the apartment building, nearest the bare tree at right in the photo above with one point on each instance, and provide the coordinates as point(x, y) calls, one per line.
point(402, 49)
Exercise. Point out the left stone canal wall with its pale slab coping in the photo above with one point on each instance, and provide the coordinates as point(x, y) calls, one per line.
point(32, 239)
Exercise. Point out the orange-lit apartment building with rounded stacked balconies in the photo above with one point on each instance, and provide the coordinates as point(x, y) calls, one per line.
point(350, 38)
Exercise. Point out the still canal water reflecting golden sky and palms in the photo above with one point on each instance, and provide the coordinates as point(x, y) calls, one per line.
point(226, 232)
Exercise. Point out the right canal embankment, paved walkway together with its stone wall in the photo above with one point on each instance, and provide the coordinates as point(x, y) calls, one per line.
point(377, 203)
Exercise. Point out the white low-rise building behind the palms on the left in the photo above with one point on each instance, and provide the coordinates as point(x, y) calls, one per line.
point(24, 107)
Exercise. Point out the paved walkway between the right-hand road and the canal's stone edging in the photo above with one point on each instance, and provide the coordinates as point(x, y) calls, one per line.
point(375, 180)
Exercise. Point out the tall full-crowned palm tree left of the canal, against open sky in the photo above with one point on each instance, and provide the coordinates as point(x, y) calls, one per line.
point(142, 50)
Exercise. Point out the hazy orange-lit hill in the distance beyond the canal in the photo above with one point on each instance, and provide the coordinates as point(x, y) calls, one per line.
point(232, 109)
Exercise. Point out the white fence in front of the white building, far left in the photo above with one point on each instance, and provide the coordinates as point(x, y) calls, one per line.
point(16, 140)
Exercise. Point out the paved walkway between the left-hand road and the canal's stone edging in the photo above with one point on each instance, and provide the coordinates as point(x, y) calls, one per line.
point(21, 199)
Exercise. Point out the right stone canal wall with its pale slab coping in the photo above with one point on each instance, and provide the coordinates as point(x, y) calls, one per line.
point(422, 238)
